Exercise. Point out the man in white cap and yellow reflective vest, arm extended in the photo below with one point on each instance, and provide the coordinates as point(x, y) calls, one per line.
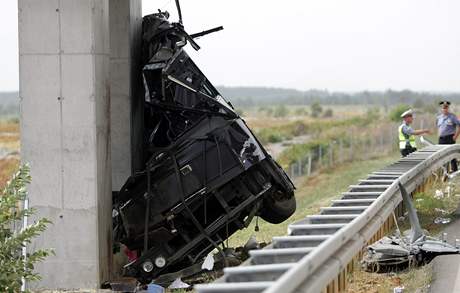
point(407, 143)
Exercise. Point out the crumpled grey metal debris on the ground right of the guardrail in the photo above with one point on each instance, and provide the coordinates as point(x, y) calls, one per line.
point(412, 248)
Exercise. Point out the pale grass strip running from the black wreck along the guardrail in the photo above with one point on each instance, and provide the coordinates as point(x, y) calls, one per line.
point(313, 193)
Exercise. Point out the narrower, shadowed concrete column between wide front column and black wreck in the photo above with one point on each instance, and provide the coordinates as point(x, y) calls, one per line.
point(126, 100)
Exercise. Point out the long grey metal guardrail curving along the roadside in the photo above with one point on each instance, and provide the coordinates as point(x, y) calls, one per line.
point(319, 247)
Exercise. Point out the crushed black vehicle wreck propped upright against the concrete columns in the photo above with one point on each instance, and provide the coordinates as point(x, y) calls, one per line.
point(206, 175)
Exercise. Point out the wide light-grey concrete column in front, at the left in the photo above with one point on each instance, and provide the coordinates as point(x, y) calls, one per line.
point(65, 135)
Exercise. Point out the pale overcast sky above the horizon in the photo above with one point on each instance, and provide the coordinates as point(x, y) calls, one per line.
point(339, 45)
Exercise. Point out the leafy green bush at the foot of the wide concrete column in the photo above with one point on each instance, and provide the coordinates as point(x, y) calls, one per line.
point(13, 265)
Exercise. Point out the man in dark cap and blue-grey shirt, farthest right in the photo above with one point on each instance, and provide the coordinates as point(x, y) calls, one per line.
point(448, 129)
